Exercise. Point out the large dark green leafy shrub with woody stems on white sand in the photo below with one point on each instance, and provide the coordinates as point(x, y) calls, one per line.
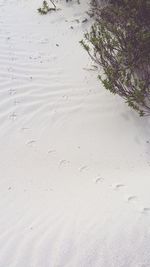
point(119, 41)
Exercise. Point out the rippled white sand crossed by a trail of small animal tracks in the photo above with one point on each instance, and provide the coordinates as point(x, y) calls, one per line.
point(74, 160)
